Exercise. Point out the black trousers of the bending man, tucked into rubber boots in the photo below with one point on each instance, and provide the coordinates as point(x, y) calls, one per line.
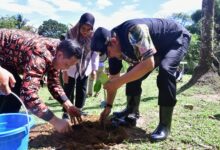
point(166, 80)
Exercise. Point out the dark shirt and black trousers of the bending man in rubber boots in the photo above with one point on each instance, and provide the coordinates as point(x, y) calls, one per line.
point(170, 40)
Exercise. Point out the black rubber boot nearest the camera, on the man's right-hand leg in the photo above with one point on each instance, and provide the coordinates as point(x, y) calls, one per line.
point(163, 129)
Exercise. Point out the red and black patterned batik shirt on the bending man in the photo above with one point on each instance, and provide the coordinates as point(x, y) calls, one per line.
point(31, 56)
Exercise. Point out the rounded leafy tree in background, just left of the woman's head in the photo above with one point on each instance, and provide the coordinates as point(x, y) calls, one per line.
point(52, 28)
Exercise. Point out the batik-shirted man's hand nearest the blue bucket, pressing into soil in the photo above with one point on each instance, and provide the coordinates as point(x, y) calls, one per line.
point(60, 125)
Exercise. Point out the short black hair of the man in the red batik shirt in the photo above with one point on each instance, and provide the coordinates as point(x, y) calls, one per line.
point(70, 48)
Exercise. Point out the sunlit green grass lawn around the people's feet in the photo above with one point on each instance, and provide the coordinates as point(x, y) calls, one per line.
point(196, 119)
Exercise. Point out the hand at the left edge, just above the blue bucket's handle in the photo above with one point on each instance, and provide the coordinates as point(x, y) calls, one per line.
point(6, 80)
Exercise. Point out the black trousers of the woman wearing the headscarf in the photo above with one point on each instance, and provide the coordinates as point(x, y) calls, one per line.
point(80, 85)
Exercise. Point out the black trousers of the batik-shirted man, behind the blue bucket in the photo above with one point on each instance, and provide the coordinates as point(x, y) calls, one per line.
point(9, 104)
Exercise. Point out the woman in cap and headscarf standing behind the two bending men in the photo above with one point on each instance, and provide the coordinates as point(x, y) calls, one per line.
point(76, 76)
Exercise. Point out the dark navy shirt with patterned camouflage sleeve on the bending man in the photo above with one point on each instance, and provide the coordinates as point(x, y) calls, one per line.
point(142, 38)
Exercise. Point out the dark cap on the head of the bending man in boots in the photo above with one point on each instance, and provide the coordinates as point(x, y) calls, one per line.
point(100, 40)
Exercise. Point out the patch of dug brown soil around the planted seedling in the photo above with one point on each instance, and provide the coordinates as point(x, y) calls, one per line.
point(87, 136)
